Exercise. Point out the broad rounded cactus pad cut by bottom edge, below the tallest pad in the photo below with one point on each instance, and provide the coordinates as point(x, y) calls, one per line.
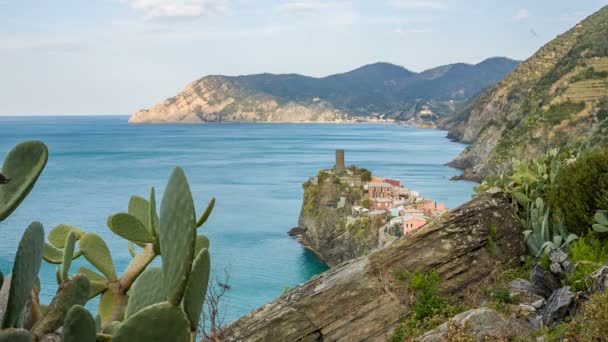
point(157, 323)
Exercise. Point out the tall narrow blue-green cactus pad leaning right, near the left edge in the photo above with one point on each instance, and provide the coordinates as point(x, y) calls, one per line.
point(25, 271)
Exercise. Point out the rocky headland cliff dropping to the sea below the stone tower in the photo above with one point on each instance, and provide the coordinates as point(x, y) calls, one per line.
point(324, 225)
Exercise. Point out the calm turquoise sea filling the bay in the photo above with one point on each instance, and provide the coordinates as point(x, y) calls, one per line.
point(254, 170)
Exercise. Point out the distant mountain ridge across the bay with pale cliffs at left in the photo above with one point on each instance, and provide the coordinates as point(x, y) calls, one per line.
point(376, 89)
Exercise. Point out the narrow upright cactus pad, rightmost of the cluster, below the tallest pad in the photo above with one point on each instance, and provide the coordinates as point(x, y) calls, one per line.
point(196, 291)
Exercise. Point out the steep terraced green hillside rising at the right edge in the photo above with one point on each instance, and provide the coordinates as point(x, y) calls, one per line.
point(557, 98)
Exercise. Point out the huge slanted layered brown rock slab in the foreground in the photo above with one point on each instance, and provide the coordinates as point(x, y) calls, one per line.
point(355, 301)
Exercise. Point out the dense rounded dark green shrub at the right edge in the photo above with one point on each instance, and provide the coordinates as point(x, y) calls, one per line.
point(582, 190)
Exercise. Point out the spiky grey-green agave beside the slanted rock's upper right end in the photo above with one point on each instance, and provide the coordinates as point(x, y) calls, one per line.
point(543, 235)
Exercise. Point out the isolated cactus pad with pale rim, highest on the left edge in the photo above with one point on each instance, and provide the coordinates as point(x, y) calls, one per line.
point(22, 166)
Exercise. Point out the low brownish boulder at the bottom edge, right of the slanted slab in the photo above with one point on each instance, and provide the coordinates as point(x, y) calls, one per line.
point(482, 324)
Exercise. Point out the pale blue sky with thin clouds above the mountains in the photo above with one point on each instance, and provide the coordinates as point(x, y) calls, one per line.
point(75, 57)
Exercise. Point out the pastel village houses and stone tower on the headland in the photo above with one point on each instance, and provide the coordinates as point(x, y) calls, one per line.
point(403, 210)
